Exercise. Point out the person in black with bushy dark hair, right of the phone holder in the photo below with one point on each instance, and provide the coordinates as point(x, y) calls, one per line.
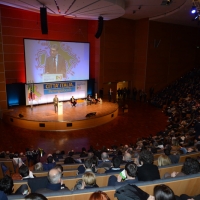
point(147, 171)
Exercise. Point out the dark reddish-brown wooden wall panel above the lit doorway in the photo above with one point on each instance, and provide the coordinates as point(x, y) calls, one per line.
point(117, 52)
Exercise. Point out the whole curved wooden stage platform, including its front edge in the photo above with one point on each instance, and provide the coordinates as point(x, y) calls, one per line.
point(43, 117)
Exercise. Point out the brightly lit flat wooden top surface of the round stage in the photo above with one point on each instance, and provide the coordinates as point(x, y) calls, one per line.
point(70, 114)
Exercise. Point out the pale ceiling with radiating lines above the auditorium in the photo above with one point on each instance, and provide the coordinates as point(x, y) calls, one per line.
point(177, 12)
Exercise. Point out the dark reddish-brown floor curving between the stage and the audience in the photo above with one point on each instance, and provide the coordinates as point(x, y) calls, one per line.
point(141, 120)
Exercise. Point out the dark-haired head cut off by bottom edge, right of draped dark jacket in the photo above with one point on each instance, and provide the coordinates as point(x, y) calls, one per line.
point(163, 192)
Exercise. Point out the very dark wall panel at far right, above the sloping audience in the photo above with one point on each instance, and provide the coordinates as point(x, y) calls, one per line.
point(174, 56)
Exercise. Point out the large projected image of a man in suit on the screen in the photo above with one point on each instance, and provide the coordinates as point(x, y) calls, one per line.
point(49, 61)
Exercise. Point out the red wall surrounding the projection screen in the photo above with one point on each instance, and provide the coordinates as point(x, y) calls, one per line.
point(18, 24)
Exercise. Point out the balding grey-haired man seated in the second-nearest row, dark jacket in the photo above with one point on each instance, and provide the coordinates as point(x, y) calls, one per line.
point(55, 181)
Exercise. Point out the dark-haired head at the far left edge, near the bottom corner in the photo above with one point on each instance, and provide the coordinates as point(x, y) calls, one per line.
point(6, 184)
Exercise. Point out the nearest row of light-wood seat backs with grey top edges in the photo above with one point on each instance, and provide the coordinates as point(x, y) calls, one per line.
point(186, 184)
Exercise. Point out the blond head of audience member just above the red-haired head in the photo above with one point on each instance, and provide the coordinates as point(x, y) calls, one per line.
point(89, 180)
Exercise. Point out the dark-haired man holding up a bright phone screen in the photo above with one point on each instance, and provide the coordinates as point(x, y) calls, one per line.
point(128, 176)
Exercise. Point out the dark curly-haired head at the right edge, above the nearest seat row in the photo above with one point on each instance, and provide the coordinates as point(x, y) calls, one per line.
point(190, 166)
